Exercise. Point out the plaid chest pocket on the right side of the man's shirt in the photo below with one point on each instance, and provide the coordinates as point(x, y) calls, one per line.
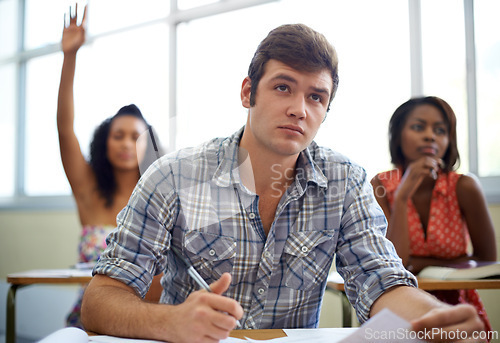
point(303, 270)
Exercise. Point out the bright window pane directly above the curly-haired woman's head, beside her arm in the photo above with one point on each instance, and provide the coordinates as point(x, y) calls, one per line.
point(120, 69)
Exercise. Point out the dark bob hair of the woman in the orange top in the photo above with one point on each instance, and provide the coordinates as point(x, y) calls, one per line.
point(451, 158)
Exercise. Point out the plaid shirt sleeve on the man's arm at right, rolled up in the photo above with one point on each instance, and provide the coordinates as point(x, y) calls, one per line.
point(366, 259)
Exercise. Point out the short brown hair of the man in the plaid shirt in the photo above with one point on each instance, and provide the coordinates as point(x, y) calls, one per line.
point(298, 46)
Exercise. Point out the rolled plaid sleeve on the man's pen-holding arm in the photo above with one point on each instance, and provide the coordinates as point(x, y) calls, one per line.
point(135, 250)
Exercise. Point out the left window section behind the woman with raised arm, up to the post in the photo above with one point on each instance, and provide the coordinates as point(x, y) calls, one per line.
point(116, 67)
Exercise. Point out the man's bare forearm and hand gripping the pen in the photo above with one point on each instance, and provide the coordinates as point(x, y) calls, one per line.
point(110, 307)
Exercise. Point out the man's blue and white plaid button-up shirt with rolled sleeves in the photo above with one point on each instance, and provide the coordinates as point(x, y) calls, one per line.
point(194, 200)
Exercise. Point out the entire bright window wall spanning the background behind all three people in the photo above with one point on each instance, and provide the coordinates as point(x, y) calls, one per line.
point(184, 66)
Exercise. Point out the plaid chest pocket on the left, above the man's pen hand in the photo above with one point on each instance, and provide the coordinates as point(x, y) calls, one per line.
point(211, 254)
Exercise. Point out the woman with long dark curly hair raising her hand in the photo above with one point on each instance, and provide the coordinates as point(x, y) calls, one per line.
point(102, 185)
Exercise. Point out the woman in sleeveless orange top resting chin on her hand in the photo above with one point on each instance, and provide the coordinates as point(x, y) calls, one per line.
point(432, 211)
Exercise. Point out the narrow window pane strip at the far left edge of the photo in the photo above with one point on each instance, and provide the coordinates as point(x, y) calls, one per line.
point(8, 97)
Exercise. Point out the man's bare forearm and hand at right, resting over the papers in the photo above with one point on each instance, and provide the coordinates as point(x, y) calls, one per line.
point(426, 312)
